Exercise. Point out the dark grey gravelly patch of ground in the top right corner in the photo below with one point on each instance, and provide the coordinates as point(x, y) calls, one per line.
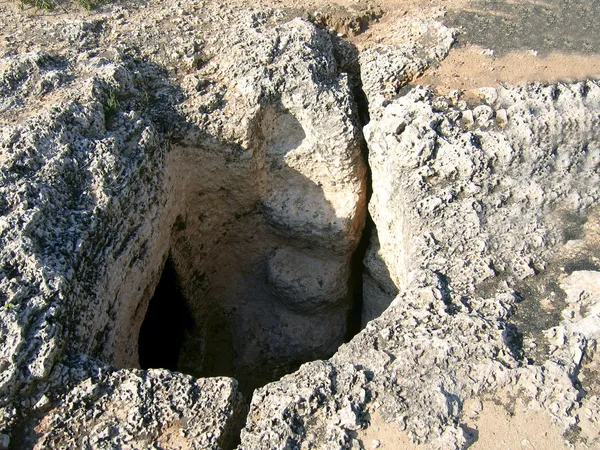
point(545, 26)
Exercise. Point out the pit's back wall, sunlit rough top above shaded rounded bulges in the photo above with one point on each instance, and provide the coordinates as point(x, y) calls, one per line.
point(268, 226)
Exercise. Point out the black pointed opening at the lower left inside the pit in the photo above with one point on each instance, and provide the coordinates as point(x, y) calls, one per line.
point(167, 320)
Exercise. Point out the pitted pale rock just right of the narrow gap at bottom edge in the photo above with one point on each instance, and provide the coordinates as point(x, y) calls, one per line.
point(279, 411)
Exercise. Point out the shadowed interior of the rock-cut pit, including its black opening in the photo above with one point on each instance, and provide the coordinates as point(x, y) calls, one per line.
point(222, 307)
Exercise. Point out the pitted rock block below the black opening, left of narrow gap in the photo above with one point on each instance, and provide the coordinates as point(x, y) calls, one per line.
point(131, 409)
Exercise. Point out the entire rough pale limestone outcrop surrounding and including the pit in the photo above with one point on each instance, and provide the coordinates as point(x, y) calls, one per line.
point(224, 144)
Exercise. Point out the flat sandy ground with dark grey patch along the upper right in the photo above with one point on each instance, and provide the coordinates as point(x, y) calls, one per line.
point(498, 42)
